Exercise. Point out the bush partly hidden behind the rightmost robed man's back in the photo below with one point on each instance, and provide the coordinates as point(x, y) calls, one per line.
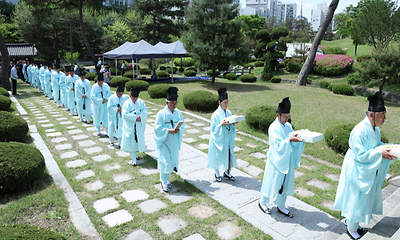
point(337, 137)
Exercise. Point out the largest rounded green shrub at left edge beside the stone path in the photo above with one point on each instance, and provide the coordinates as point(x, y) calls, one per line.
point(21, 165)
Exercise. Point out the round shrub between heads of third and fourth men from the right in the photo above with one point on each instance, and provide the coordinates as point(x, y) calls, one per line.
point(201, 101)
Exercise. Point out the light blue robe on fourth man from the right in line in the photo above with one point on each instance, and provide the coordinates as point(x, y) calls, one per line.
point(168, 145)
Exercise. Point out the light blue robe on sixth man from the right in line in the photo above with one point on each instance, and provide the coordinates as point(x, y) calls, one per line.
point(115, 117)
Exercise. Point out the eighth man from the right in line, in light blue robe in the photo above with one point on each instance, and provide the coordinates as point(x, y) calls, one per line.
point(82, 97)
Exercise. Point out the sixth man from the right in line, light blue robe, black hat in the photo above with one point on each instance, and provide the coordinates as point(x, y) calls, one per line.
point(114, 108)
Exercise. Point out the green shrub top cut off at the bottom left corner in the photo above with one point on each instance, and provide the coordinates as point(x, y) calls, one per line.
point(23, 231)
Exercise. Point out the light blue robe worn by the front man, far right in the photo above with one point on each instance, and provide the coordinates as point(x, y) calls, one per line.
point(359, 193)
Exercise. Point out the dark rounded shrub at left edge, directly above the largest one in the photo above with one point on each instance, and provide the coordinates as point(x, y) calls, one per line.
point(12, 127)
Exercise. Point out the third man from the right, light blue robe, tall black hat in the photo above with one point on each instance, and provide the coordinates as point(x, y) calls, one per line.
point(222, 139)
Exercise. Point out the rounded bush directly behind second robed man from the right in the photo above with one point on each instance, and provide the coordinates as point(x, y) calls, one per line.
point(260, 117)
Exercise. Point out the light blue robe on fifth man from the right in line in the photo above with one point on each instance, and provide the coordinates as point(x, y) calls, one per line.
point(130, 111)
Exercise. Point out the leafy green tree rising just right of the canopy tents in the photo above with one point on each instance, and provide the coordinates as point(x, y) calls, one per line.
point(214, 36)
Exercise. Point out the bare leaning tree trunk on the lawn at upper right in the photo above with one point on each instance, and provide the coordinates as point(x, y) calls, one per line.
point(305, 70)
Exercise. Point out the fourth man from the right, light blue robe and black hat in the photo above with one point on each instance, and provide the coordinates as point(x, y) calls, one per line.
point(168, 139)
